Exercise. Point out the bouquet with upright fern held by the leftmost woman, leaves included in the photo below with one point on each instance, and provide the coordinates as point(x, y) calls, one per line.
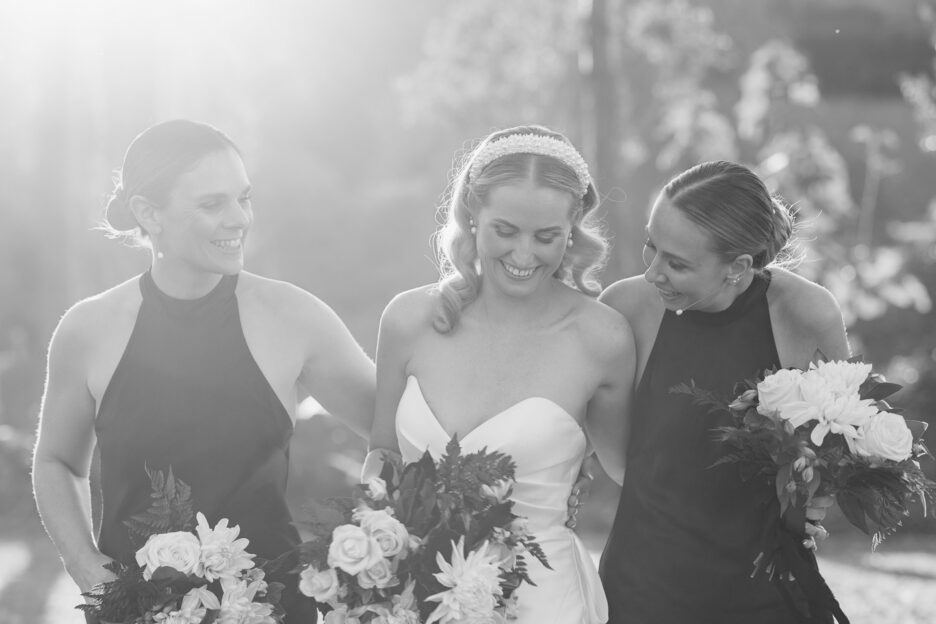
point(185, 571)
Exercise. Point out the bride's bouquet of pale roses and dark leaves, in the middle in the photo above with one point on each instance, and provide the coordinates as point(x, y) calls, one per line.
point(425, 542)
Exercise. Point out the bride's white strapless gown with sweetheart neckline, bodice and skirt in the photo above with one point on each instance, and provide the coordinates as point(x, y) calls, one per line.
point(548, 446)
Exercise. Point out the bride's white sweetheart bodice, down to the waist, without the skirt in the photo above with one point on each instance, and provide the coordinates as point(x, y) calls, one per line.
point(545, 441)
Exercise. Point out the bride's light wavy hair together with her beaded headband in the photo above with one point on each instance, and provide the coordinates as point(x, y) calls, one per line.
point(491, 165)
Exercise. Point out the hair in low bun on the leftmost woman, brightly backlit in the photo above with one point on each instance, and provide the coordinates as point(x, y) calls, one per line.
point(152, 164)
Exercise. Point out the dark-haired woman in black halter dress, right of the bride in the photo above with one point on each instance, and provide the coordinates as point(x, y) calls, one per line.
point(714, 308)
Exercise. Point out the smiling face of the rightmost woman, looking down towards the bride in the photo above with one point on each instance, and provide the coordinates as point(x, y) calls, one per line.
point(681, 263)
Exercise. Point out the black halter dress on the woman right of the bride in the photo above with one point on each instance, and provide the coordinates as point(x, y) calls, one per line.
point(685, 534)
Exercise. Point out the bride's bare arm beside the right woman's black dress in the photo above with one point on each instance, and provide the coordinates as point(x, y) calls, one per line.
point(608, 417)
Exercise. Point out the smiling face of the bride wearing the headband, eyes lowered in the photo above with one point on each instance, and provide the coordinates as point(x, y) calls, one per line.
point(522, 235)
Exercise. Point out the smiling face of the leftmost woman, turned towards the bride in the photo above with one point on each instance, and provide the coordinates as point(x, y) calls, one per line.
point(205, 222)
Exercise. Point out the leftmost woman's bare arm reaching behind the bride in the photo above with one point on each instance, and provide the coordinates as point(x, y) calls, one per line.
point(337, 372)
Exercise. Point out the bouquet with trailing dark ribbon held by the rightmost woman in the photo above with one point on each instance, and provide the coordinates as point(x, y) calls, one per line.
point(824, 431)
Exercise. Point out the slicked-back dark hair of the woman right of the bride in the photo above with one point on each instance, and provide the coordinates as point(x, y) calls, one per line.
point(731, 203)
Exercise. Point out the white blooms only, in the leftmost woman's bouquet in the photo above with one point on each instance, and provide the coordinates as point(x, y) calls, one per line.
point(214, 555)
